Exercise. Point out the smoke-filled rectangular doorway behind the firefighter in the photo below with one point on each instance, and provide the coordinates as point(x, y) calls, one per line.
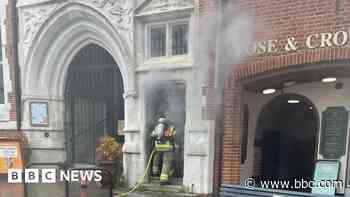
point(168, 97)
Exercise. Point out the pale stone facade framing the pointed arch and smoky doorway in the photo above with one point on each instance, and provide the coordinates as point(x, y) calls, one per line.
point(52, 32)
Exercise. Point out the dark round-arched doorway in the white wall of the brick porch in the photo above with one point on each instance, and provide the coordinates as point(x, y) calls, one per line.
point(287, 135)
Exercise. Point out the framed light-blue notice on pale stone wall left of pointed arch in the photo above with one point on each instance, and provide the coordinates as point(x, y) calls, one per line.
point(39, 114)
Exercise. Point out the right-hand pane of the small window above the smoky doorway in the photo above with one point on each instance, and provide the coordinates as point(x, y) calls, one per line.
point(179, 39)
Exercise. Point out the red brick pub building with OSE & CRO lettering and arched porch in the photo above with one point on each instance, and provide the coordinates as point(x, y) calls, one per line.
point(279, 98)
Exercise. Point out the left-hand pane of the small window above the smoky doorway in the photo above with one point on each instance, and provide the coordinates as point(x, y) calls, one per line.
point(158, 42)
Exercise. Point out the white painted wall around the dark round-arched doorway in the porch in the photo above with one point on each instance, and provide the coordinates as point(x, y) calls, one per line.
point(322, 95)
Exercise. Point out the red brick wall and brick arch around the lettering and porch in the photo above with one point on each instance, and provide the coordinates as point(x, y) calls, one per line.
point(278, 19)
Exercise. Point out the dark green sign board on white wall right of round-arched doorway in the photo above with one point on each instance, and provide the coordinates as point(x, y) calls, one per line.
point(334, 132)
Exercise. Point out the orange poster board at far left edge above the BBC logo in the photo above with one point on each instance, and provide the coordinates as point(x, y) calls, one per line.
point(10, 155)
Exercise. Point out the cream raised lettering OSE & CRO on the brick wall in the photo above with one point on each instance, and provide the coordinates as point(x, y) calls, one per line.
point(312, 41)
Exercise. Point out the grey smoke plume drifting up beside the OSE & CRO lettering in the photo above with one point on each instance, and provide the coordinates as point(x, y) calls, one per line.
point(225, 39)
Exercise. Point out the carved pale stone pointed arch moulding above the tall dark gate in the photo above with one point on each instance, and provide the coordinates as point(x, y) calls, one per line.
point(60, 37)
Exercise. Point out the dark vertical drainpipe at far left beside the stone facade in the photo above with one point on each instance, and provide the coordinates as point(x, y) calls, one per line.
point(14, 27)
